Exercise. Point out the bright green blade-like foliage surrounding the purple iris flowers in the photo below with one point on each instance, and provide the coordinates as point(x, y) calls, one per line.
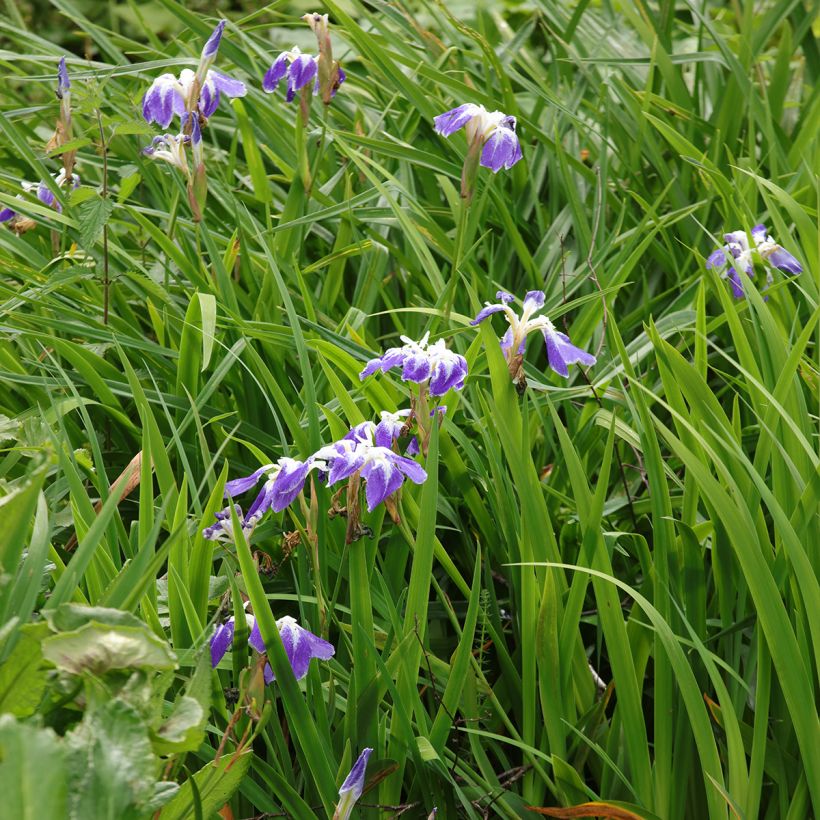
point(659, 524)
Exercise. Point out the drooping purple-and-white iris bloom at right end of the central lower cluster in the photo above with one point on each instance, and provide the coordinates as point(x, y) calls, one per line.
point(383, 470)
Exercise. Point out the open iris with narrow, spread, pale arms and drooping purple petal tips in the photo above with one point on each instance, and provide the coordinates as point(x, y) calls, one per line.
point(560, 351)
